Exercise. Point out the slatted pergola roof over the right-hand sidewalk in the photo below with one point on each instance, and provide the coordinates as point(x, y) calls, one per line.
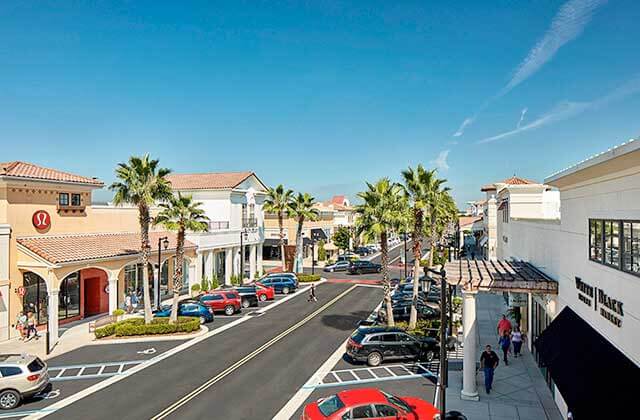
point(501, 275)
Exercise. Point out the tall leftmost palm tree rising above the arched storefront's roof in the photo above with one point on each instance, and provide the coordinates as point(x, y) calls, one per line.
point(141, 184)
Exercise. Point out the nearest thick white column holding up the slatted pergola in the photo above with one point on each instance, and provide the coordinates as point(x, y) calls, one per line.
point(470, 330)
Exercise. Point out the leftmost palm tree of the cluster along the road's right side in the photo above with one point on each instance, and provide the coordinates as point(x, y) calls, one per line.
point(380, 213)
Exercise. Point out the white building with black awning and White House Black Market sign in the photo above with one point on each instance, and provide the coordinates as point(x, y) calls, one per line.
point(588, 336)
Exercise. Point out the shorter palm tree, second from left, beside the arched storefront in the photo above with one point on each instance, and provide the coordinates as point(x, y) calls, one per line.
point(181, 214)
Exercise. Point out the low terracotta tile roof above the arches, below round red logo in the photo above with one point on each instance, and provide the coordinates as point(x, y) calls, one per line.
point(92, 246)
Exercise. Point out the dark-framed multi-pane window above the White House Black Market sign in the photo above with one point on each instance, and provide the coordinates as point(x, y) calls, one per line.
point(615, 243)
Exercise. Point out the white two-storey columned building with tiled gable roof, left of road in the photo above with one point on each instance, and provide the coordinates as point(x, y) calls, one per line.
point(233, 202)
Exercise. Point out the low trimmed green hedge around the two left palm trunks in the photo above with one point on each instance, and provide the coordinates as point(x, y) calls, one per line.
point(136, 326)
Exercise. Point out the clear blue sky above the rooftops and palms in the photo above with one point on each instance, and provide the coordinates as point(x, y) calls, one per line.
point(319, 95)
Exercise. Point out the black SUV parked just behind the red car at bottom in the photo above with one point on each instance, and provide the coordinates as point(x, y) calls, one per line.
point(377, 344)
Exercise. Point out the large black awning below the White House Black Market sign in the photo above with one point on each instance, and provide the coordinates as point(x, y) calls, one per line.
point(587, 369)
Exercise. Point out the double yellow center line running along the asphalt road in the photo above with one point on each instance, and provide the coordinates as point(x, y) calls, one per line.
point(175, 406)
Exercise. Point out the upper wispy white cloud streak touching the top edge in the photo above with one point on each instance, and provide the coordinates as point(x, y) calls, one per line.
point(566, 26)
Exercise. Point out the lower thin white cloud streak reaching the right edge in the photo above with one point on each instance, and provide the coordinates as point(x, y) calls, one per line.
point(567, 109)
